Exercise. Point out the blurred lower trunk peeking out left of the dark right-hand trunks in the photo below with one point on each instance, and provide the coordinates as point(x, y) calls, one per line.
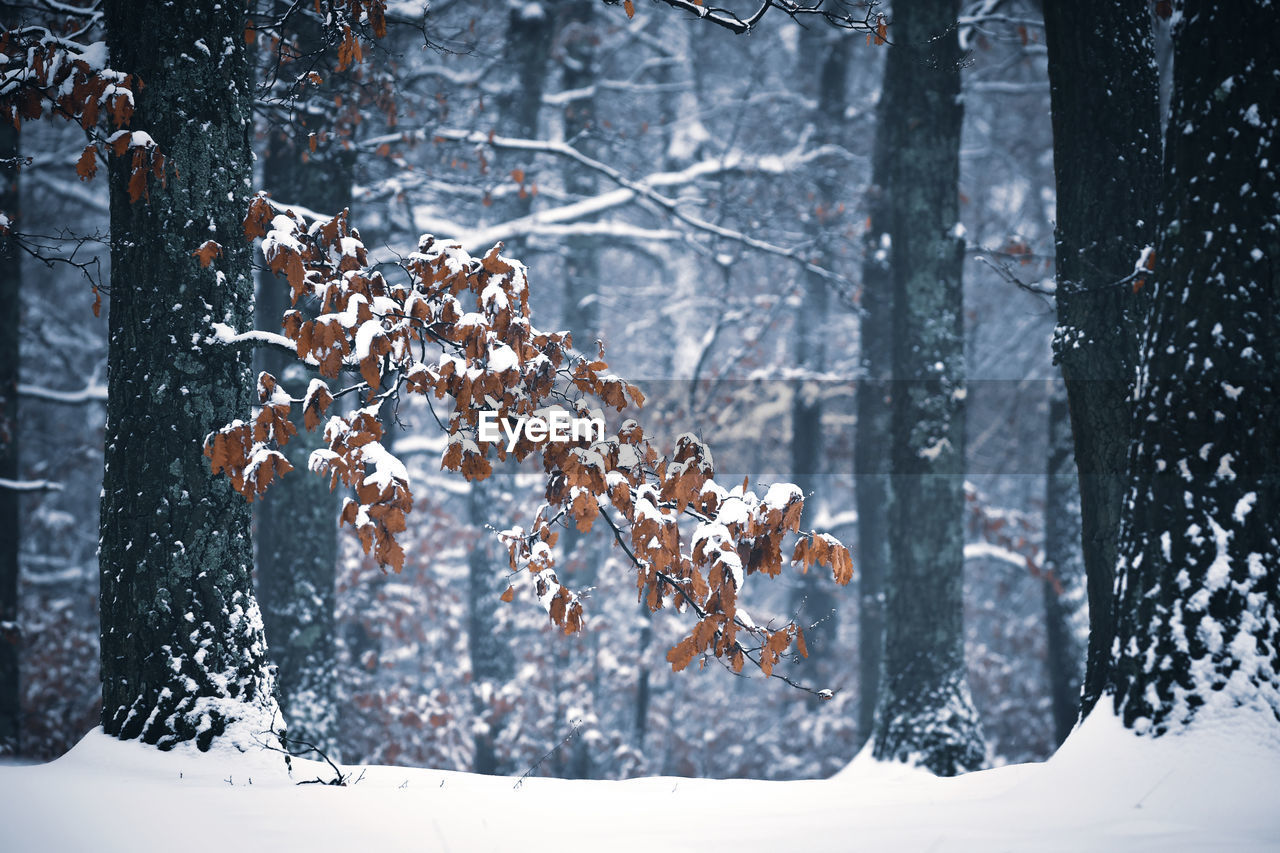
point(1064, 571)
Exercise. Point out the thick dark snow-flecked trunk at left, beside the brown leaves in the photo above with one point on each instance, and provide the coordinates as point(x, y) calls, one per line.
point(184, 656)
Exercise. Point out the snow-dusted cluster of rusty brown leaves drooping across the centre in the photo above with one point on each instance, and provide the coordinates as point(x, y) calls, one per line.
point(473, 316)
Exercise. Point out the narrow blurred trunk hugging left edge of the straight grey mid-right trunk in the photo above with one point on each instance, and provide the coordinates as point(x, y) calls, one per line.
point(875, 430)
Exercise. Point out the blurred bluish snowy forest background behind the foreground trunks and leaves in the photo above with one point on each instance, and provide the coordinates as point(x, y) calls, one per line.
point(701, 204)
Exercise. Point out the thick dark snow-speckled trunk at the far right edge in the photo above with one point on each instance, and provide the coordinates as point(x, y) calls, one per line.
point(1197, 628)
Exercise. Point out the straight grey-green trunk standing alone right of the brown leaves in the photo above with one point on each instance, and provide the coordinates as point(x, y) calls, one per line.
point(926, 715)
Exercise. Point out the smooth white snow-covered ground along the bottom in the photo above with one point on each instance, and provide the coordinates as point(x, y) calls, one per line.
point(1217, 788)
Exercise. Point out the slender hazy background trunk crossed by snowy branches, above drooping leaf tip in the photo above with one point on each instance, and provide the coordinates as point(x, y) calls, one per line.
point(817, 597)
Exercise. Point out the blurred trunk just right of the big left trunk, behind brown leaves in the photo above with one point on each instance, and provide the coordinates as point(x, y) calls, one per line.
point(298, 528)
